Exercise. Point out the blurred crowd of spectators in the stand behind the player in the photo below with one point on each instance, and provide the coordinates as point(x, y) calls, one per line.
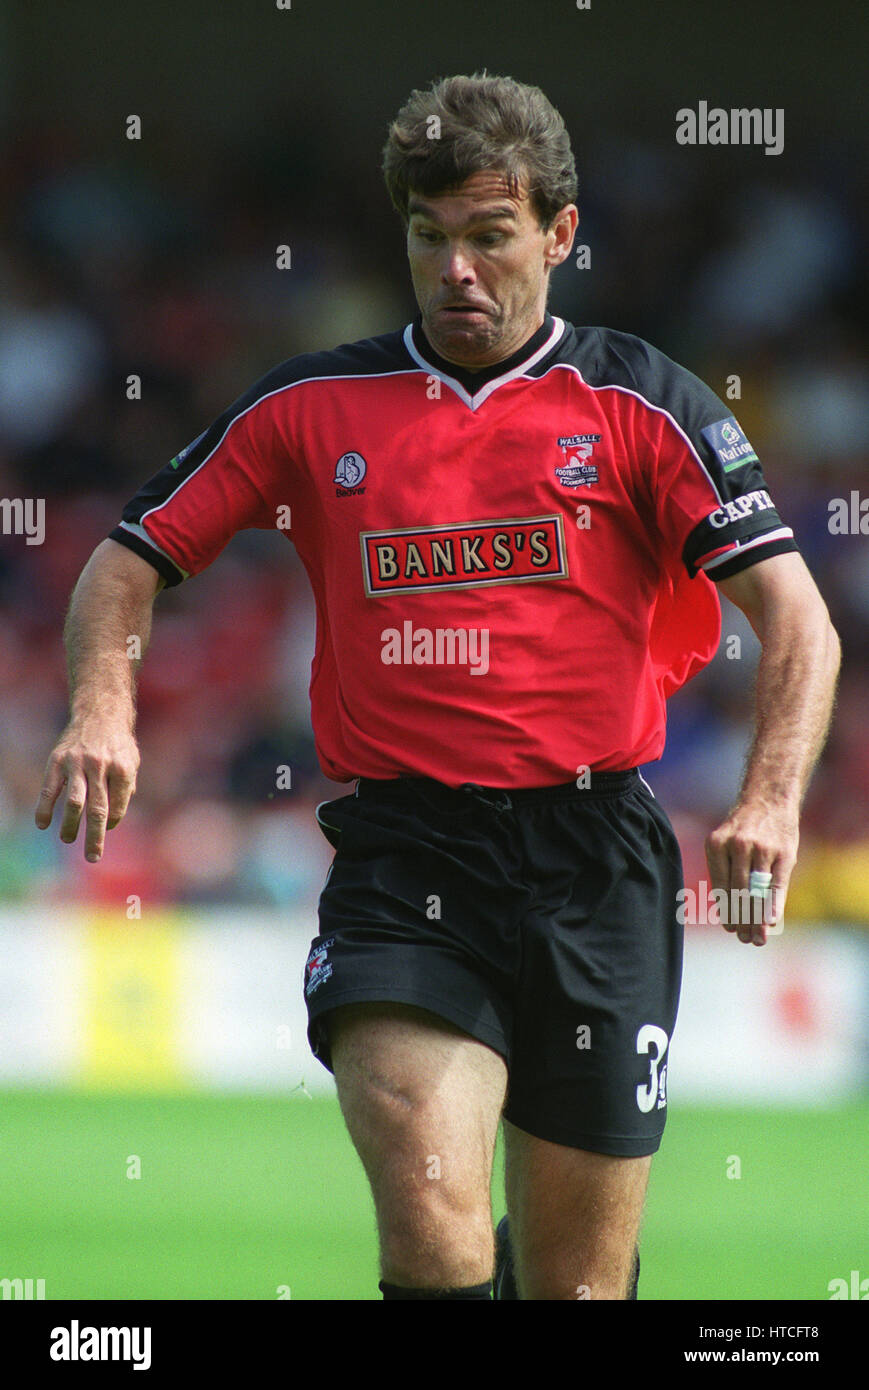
point(120, 268)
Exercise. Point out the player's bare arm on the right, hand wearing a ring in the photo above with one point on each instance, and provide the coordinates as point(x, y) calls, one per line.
point(796, 692)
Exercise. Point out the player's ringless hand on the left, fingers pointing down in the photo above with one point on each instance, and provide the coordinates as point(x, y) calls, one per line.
point(98, 765)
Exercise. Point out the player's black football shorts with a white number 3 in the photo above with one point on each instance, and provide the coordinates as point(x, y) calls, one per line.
point(542, 922)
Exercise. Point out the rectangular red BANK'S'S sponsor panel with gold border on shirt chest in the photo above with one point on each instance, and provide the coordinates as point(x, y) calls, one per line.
point(421, 559)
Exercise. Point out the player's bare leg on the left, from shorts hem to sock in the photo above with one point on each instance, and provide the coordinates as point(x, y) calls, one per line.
point(422, 1102)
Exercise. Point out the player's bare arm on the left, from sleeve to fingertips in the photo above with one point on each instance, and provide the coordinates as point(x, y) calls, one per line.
point(106, 636)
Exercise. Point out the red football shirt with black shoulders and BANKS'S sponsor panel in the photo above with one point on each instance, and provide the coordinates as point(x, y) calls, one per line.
point(511, 568)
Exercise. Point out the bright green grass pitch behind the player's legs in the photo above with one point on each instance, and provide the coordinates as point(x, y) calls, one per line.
point(244, 1196)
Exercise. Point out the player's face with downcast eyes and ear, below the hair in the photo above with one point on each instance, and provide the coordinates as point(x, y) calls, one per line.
point(480, 265)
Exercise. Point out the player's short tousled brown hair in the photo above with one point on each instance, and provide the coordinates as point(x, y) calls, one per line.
point(464, 126)
